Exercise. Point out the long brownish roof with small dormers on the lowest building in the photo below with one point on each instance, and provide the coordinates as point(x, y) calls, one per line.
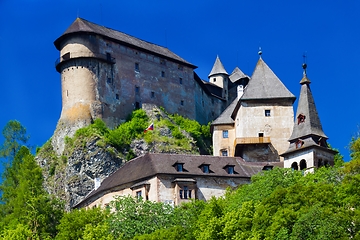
point(151, 164)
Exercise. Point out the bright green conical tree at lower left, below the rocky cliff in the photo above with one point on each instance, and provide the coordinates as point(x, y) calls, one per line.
point(25, 202)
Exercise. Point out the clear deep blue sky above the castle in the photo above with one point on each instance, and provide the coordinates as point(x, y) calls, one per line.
point(198, 31)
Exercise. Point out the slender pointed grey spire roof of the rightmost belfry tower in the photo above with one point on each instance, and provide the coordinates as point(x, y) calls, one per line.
point(307, 121)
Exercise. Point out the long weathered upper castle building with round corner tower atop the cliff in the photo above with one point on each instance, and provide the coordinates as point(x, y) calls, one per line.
point(107, 74)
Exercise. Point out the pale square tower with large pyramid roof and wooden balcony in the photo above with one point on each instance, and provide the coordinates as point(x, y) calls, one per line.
point(257, 125)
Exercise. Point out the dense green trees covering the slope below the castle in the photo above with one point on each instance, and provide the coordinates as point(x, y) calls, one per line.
point(278, 204)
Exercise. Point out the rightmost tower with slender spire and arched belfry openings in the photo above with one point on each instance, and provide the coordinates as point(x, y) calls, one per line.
point(308, 147)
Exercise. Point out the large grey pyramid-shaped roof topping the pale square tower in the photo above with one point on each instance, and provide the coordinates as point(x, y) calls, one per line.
point(264, 84)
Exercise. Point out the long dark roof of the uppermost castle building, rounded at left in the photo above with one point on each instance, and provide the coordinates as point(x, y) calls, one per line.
point(82, 25)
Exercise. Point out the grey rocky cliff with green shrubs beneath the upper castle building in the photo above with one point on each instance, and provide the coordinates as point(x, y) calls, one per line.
point(71, 173)
